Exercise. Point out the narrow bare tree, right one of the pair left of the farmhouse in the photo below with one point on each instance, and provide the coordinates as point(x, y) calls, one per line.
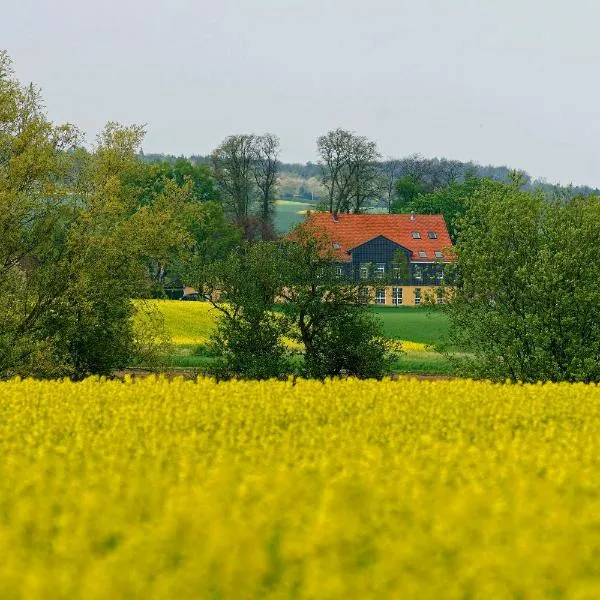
point(266, 170)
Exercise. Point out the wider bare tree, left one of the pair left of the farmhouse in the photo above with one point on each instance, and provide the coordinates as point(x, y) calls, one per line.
point(233, 166)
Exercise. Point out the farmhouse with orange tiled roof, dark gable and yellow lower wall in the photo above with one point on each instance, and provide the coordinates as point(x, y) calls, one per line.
point(401, 259)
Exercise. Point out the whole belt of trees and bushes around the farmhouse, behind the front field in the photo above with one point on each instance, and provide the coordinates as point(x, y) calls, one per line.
point(84, 229)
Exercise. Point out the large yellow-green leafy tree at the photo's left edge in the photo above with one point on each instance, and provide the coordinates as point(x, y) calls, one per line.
point(68, 267)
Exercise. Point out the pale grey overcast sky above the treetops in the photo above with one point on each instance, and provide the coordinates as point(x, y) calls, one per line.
point(497, 81)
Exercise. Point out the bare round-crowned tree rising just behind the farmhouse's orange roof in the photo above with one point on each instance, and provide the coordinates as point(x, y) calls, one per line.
point(348, 164)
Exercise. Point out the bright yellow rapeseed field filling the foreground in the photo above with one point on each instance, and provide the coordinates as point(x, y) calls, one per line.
point(344, 490)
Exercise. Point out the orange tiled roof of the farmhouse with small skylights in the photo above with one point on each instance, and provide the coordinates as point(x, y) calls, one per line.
point(350, 231)
